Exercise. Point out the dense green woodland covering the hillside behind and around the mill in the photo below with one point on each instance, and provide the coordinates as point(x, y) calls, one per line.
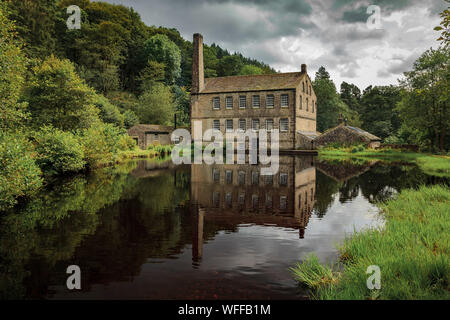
point(68, 96)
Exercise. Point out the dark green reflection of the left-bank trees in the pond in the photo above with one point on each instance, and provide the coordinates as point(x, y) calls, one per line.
point(50, 227)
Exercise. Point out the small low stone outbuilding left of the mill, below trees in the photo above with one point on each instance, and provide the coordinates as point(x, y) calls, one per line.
point(150, 134)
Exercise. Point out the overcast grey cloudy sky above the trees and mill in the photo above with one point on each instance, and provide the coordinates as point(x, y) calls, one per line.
point(287, 33)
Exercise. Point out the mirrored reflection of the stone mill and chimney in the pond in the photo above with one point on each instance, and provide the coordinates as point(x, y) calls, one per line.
point(240, 194)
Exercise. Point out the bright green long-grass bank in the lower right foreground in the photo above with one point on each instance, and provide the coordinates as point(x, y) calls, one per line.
point(412, 251)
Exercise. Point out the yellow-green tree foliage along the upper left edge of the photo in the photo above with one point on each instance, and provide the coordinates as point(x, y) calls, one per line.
point(12, 70)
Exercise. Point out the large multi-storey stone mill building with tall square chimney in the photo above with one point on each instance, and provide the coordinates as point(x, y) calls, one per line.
point(220, 99)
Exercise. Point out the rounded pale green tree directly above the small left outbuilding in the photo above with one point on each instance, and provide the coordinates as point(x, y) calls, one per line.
point(156, 105)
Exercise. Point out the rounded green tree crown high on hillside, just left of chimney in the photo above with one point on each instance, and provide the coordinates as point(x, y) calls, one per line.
point(161, 49)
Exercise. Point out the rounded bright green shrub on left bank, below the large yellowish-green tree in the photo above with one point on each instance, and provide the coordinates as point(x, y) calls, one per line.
point(58, 151)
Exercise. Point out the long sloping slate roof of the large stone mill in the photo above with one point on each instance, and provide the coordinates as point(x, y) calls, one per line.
point(277, 81)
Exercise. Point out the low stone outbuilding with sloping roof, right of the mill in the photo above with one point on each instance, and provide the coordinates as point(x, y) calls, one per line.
point(347, 135)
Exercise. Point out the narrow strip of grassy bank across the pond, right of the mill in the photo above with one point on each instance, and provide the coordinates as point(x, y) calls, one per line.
point(430, 164)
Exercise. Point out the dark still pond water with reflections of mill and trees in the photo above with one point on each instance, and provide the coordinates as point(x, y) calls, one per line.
point(152, 230)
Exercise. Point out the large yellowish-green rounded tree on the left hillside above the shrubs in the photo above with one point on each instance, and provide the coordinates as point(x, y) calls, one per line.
point(58, 97)
